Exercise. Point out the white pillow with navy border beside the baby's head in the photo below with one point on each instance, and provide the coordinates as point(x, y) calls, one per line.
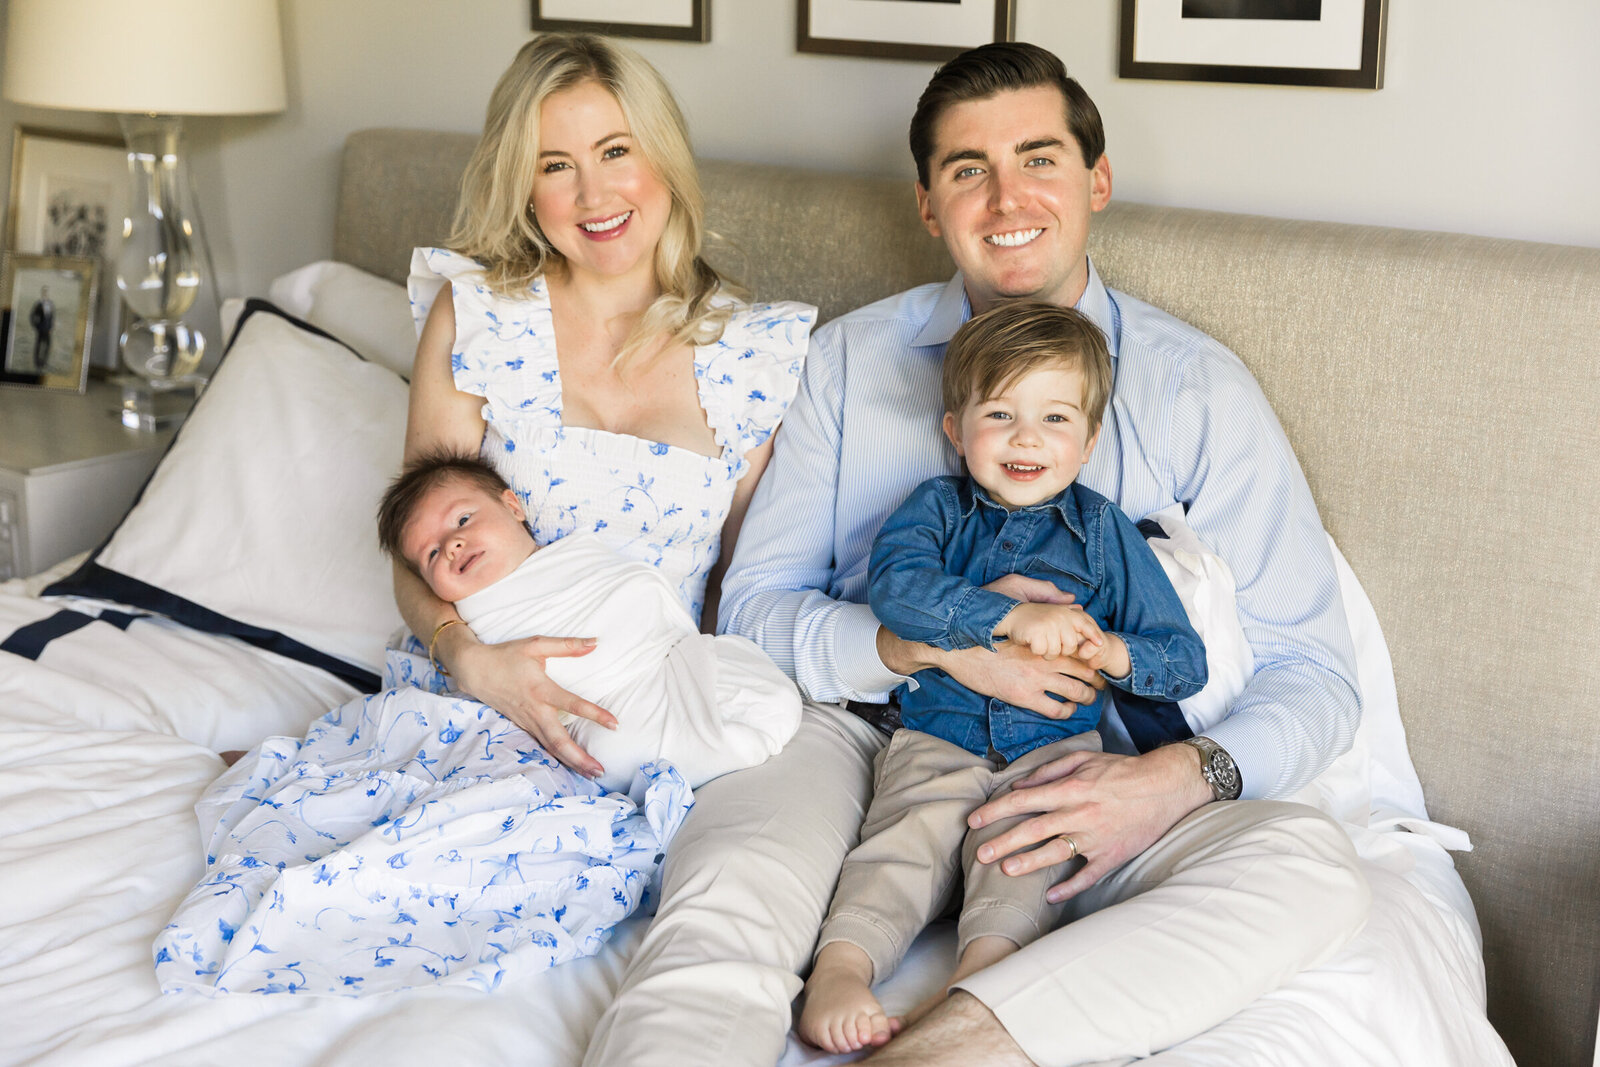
point(260, 521)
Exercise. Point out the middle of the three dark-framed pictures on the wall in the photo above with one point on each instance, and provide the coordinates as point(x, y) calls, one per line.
point(903, 30)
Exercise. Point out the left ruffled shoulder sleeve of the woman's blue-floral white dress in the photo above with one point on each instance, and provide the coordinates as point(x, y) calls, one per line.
point(505, 350)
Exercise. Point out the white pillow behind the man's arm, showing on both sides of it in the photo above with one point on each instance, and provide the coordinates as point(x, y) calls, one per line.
point(1372, 785)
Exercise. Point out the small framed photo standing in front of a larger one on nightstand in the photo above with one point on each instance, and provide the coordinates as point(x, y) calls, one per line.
point(47, 321)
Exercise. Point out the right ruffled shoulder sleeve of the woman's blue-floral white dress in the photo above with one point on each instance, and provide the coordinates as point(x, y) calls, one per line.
point(750, 377)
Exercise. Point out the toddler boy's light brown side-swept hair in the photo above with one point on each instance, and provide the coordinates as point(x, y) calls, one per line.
point(1002, 345)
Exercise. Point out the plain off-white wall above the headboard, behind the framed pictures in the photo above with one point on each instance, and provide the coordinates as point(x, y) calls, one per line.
point(1489, 121)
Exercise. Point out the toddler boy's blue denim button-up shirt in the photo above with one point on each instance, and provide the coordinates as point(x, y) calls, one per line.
point(950, 538)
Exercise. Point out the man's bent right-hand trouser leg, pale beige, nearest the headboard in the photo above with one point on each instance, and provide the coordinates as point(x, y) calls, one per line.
point(1231, 903)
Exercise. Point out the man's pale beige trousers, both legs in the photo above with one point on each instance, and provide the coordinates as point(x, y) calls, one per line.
point(1225, 908)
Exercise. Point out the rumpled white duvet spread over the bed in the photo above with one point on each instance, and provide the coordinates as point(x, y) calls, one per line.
point(108, 741)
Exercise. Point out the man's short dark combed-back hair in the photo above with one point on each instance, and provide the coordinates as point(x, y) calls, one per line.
point(1001, 68)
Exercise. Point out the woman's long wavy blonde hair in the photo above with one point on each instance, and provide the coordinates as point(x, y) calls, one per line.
point(494, 222)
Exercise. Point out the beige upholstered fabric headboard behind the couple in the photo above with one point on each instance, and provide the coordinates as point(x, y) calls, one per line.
point(1442, 394)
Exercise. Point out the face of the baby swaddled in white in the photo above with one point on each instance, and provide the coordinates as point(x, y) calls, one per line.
point(463, 538)
